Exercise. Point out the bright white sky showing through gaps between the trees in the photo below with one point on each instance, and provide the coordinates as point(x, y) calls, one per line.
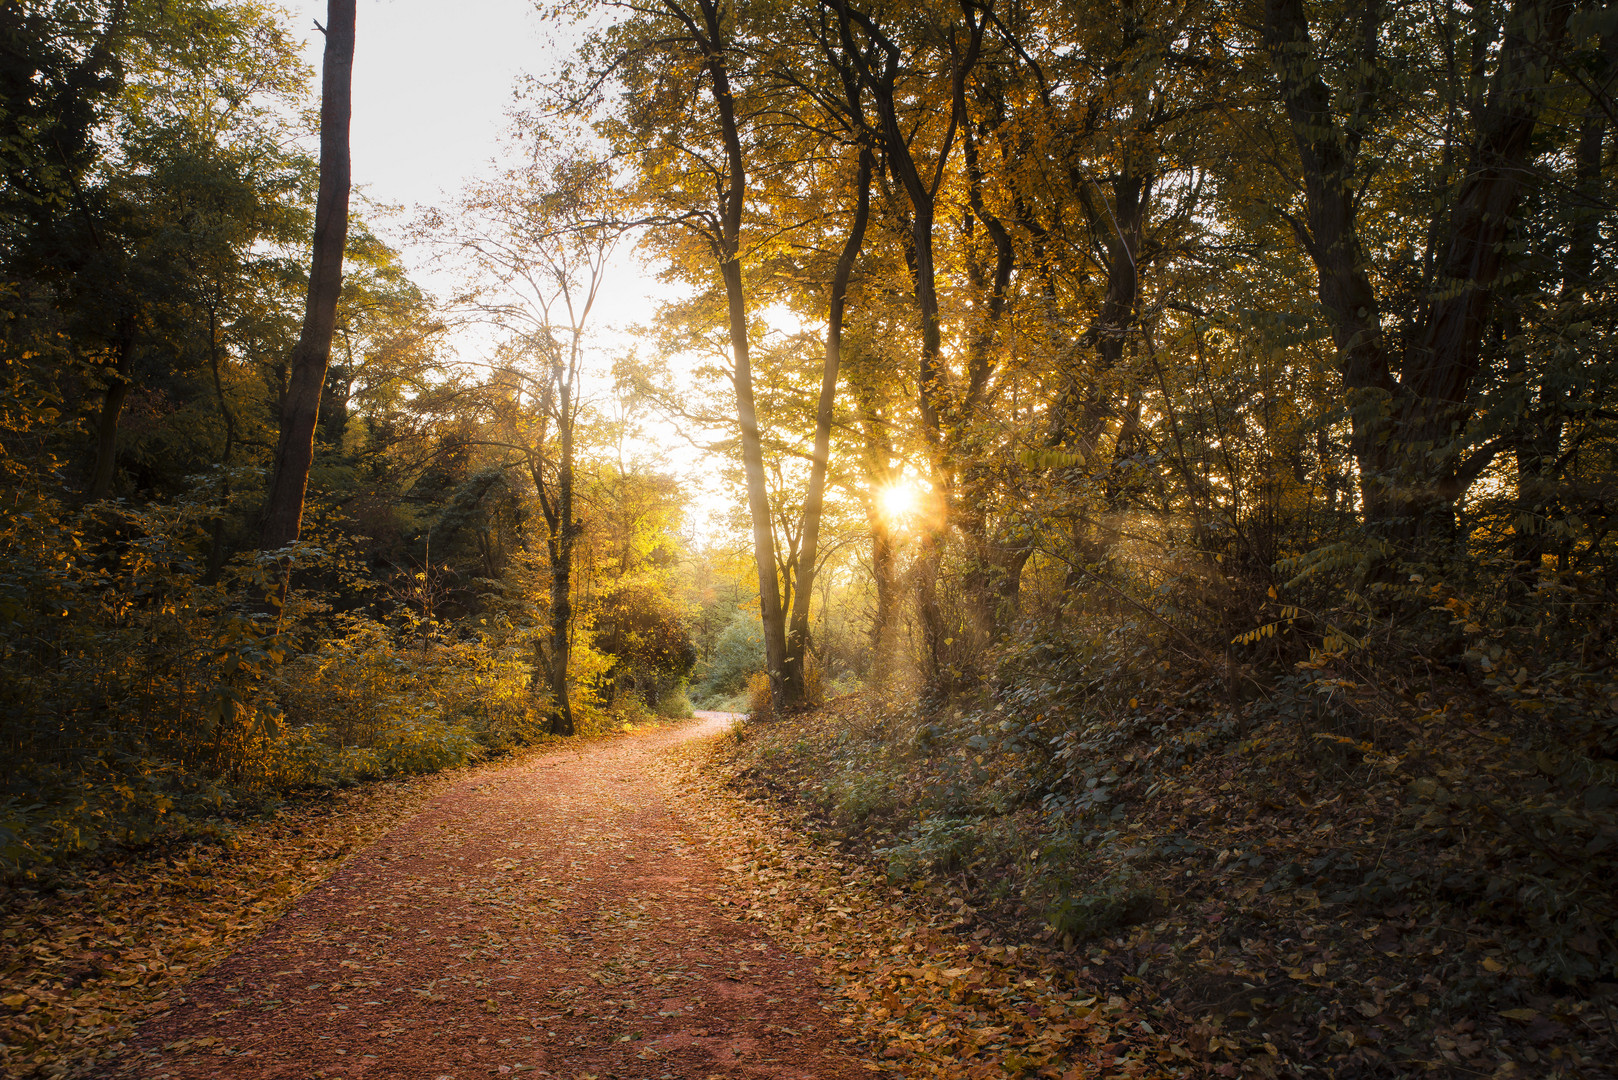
point(433, 85)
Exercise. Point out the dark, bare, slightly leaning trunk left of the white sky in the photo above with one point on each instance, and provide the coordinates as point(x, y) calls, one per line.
point(302, 412)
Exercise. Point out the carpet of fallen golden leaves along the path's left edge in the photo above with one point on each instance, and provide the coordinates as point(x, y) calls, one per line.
point(95, 958)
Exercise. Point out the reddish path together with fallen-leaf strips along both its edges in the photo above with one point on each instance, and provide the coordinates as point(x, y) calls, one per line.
point(598, 914)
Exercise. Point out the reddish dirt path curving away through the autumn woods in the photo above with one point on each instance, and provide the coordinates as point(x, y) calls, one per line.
point(551, 919)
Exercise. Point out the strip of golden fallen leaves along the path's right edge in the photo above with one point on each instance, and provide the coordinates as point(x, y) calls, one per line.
point(920, 995)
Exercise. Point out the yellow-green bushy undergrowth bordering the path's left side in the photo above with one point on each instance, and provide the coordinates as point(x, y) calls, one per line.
point(142, 699)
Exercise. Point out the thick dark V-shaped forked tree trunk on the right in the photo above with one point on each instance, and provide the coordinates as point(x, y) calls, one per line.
point(1408, 428)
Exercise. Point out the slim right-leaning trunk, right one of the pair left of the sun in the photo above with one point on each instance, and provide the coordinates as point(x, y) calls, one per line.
point(795, 682)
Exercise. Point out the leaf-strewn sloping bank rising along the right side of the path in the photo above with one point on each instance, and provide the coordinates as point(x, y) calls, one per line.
point(1431, 896)
